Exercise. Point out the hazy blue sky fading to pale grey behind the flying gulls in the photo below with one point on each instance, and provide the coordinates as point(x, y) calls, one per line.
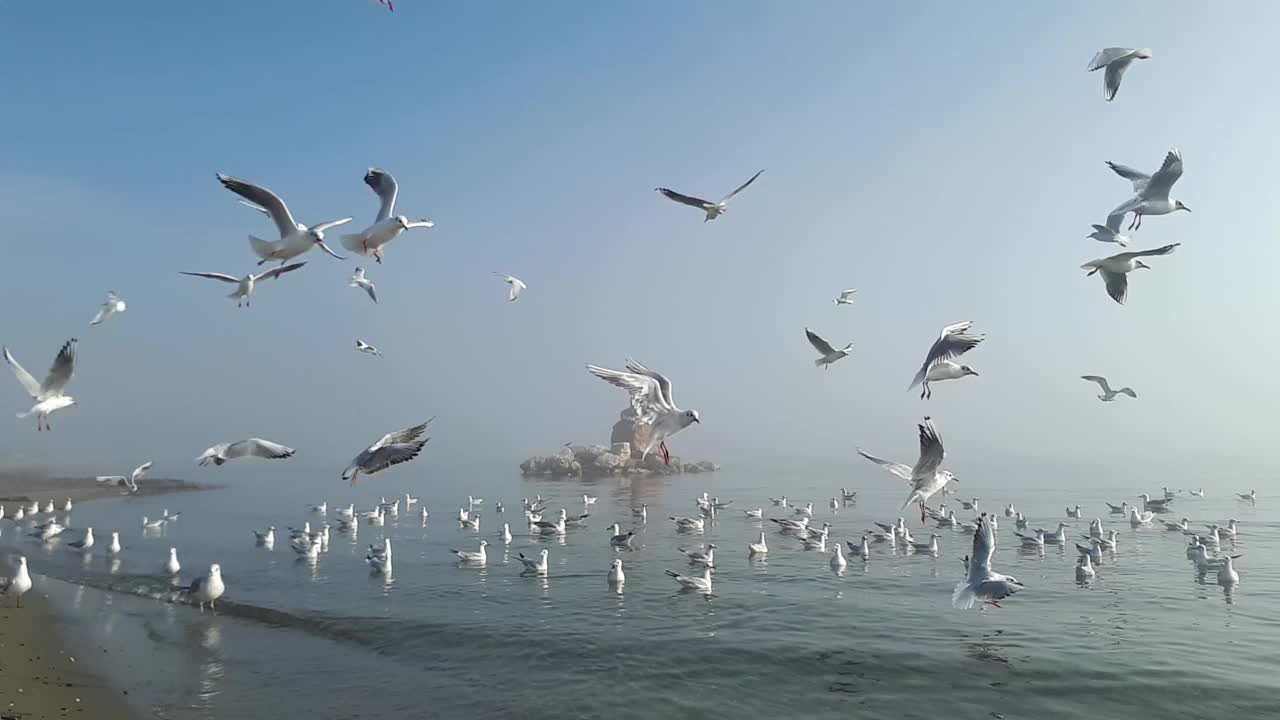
point(944, 160)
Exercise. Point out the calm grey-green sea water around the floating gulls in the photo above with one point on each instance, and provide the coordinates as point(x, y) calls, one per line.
point(784, 635)
